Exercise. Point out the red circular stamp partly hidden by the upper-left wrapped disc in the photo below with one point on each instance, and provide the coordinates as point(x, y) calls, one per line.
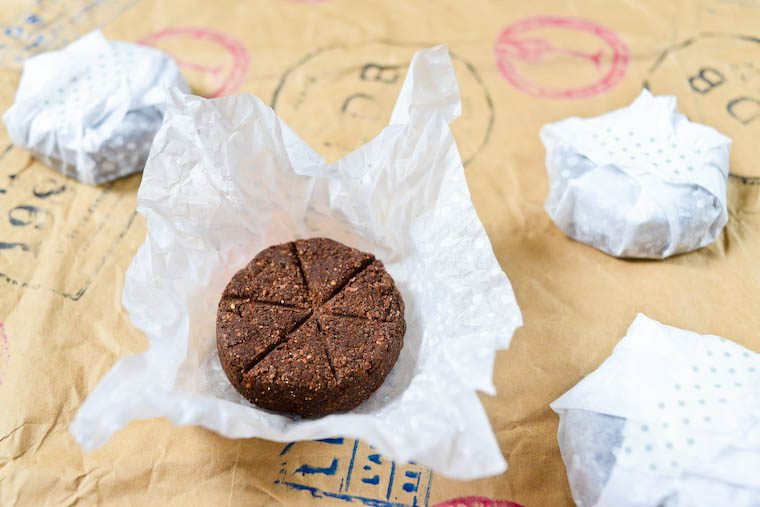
point(217, 61)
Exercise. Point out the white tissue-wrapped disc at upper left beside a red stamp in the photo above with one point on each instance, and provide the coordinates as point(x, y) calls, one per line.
point(91, 109)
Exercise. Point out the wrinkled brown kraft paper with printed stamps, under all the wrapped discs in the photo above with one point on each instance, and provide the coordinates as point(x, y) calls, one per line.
point(331, 69)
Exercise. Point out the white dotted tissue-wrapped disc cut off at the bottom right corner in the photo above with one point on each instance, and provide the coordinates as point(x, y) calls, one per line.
point(671, 418)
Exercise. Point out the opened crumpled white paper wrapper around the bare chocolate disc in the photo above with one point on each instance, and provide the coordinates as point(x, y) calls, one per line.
point(227, 178)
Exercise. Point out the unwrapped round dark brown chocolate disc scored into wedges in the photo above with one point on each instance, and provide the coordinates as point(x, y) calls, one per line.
point(310, 328)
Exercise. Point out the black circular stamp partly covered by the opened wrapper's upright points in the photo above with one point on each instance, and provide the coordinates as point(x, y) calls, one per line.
point(339, 97)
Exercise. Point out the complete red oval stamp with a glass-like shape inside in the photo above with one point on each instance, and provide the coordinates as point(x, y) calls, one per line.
point(560, 57)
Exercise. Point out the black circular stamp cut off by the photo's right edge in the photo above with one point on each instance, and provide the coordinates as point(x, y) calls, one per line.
point(716, 77)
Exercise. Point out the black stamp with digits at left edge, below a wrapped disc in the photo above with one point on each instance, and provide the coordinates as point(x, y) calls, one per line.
point(48, 218)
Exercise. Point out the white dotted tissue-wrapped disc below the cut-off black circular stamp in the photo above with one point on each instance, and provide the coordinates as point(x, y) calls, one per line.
point(642, 181)
